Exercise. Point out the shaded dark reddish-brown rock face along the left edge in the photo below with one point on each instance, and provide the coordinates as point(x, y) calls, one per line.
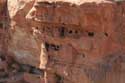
point(3, 25)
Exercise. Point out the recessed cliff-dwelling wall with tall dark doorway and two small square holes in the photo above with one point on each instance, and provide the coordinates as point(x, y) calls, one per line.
point(62, 32)
